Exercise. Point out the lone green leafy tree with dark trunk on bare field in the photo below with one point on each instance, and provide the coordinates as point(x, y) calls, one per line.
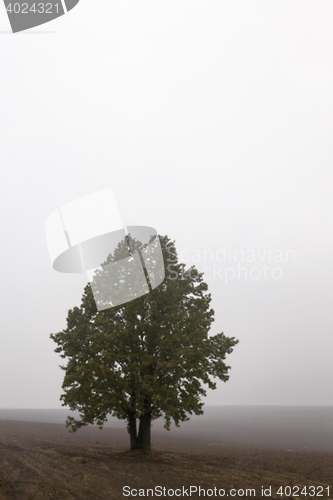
point(144, 359)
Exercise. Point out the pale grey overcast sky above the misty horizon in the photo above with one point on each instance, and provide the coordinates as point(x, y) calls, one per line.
point(212, 122)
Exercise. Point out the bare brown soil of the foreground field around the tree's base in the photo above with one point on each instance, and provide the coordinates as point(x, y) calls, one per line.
point(40, 461)
